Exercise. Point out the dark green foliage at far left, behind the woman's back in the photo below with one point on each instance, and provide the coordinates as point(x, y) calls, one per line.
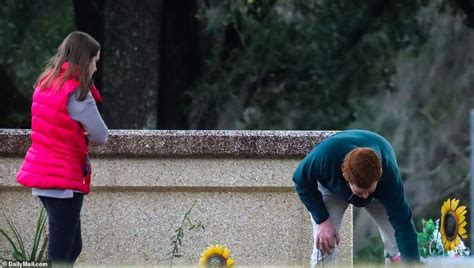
point(30, 33)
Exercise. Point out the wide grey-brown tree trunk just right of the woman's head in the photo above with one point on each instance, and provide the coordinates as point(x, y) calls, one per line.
point(131, 63)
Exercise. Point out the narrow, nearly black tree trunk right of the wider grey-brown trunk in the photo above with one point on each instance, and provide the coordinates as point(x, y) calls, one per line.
point(180, 62)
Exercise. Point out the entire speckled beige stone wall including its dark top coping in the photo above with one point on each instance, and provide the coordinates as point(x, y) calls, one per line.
point(245, 199)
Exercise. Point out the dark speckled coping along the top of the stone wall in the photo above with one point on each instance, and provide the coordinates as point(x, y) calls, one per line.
point(174, 143)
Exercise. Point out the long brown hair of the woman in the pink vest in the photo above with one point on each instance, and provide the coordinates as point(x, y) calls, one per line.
point(77, 50)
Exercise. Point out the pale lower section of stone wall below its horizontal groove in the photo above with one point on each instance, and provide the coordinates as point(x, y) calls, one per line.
point(134, 227)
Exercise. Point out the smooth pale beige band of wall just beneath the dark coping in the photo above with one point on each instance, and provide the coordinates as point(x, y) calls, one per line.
point(179, 172)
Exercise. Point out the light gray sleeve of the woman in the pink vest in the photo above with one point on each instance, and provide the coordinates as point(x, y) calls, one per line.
point(86, 113)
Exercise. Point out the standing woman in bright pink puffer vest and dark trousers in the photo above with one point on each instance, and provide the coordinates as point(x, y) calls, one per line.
point(65, 119)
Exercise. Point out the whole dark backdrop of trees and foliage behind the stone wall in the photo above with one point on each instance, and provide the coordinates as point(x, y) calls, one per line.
point(401, 68)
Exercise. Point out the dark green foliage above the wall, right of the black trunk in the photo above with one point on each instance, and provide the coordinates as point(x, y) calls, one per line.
point(302, 64)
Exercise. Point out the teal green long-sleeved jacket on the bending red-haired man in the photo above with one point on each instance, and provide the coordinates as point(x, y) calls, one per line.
point(324, 165)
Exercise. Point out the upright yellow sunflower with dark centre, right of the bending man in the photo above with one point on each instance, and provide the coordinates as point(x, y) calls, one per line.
point(453, 224)
